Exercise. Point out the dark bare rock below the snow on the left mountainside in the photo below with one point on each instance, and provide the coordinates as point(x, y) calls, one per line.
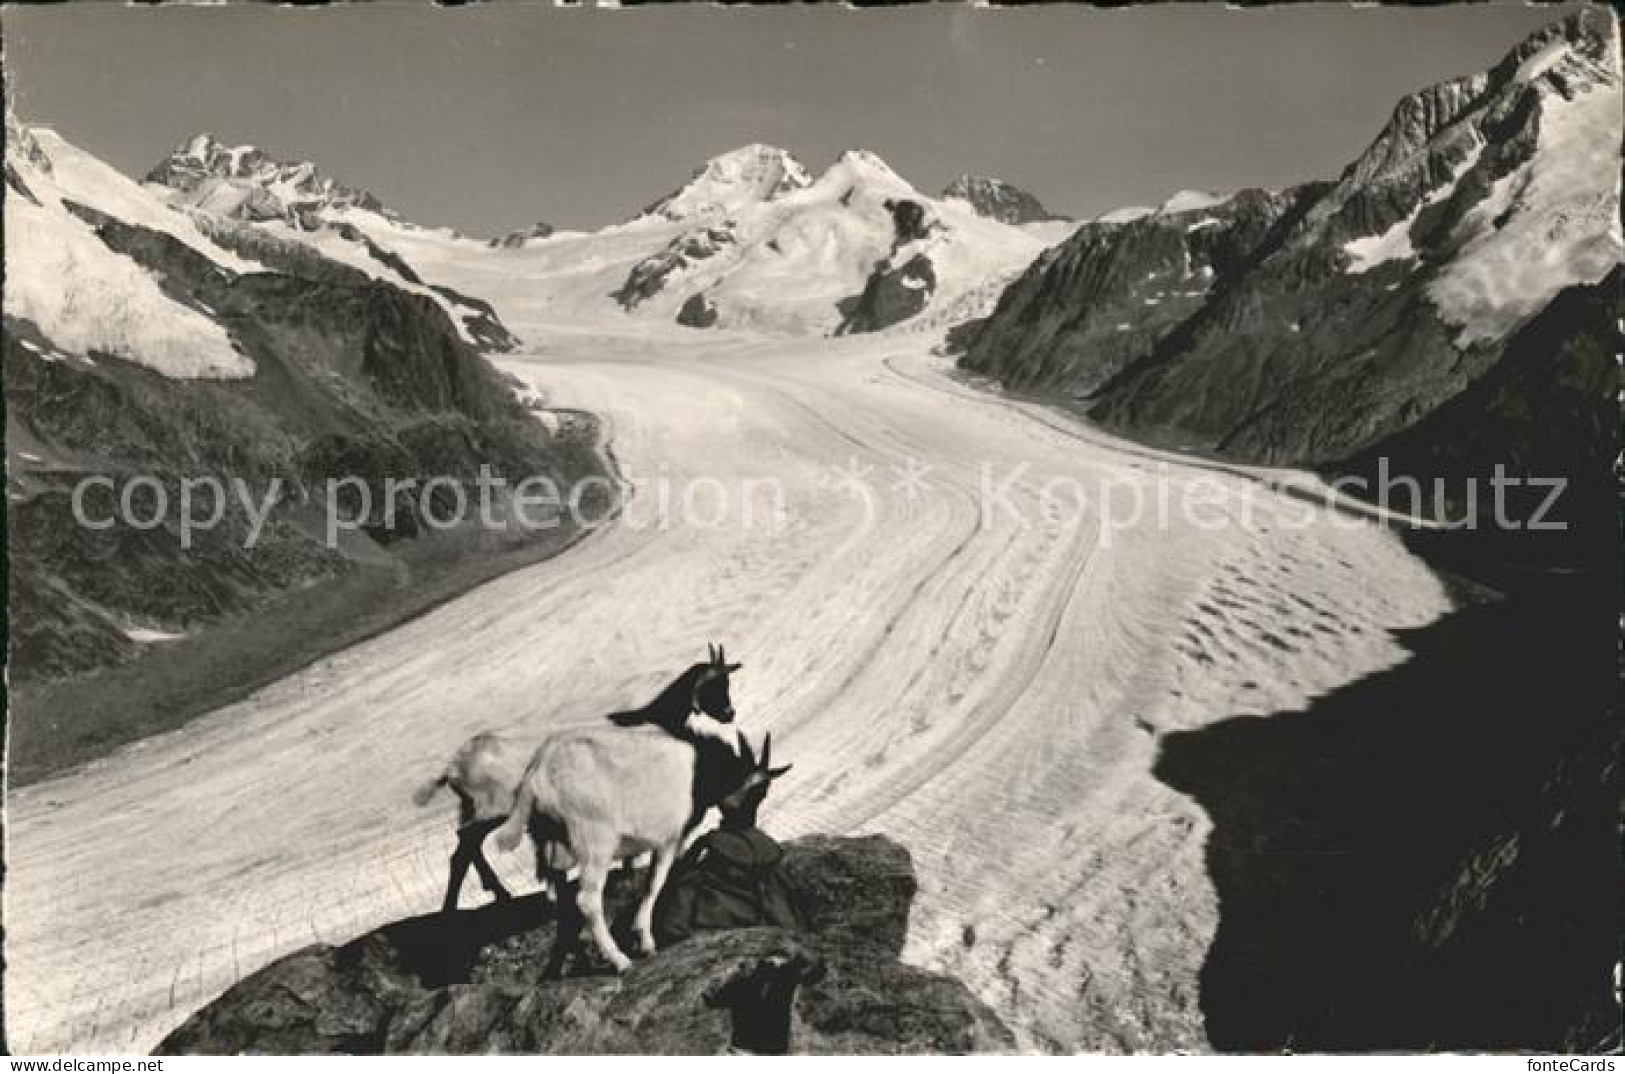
point(353, 378)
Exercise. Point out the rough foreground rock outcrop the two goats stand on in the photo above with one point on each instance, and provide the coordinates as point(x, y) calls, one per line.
point(469, 982)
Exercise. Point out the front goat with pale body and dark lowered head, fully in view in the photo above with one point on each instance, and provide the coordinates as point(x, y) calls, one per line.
point(618, 792)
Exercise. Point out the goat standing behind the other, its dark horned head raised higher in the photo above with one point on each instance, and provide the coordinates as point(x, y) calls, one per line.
point(487, 769)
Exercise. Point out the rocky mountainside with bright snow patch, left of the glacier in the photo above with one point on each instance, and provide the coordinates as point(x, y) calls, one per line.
point(150, 344)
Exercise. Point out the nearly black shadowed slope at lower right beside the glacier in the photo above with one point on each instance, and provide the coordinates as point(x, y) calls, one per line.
point(1426, 859)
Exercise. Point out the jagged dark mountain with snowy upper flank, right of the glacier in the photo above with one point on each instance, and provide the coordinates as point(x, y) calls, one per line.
point(1317, 326)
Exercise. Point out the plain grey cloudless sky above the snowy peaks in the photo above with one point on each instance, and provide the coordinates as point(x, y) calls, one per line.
point(496, 116)
